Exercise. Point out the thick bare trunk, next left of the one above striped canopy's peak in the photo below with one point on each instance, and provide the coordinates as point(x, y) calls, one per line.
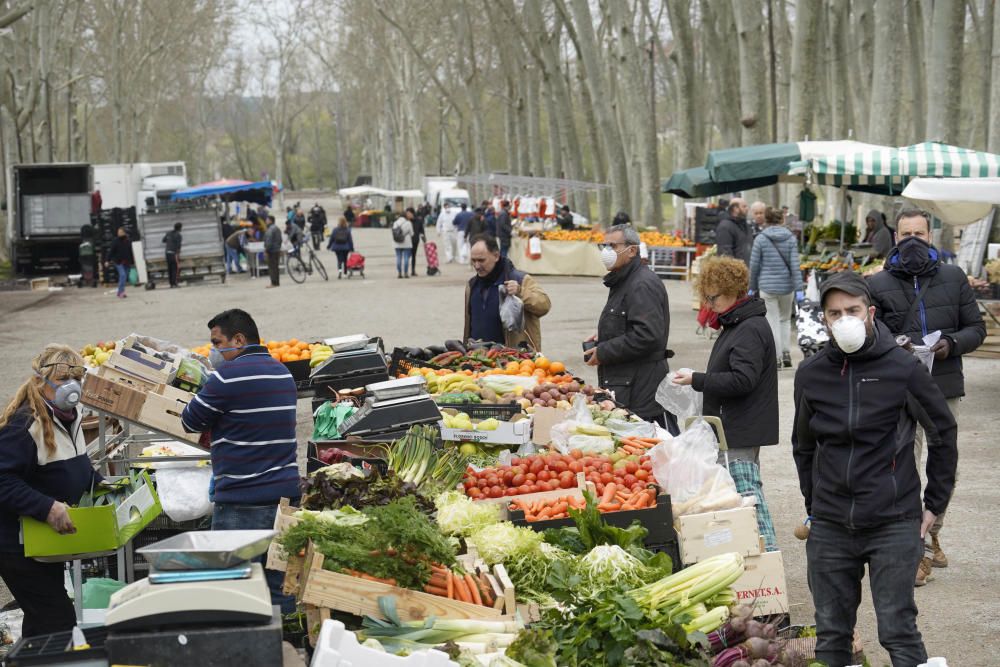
point(883, 114)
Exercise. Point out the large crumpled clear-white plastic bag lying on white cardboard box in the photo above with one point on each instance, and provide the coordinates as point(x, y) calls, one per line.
point(686, 468)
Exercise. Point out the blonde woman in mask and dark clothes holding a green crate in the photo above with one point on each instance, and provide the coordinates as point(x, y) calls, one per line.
point(43, 468)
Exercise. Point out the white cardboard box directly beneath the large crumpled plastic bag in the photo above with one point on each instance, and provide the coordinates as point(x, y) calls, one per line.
point(702, 536)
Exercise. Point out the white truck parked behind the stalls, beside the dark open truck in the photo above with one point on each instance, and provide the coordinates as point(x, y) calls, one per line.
point(144, 185)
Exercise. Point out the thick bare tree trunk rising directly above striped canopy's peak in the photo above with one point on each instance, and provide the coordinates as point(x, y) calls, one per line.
point(944, 74)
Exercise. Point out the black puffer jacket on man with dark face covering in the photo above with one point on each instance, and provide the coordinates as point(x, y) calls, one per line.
point(948, 304)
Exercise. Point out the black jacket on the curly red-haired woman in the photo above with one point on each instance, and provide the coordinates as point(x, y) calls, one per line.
point(741, 381)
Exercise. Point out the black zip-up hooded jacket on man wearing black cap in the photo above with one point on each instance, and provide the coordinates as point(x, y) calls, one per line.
point(852, 438)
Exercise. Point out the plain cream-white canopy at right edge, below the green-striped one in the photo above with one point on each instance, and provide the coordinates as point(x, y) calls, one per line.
point(957, 201)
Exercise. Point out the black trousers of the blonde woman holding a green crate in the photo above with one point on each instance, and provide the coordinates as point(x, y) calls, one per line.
point(39, 590)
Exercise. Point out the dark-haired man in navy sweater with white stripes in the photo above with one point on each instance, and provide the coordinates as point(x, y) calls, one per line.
point(247, 407)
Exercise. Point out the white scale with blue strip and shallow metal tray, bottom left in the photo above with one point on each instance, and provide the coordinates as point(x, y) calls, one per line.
point(197, 578)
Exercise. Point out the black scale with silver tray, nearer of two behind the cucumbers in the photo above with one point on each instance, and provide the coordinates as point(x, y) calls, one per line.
point(391, 408)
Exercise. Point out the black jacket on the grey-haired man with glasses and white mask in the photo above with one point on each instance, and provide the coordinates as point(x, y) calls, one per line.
point(632, 338)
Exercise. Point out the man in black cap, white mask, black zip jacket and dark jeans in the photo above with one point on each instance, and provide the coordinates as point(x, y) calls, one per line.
point(856, 402)
